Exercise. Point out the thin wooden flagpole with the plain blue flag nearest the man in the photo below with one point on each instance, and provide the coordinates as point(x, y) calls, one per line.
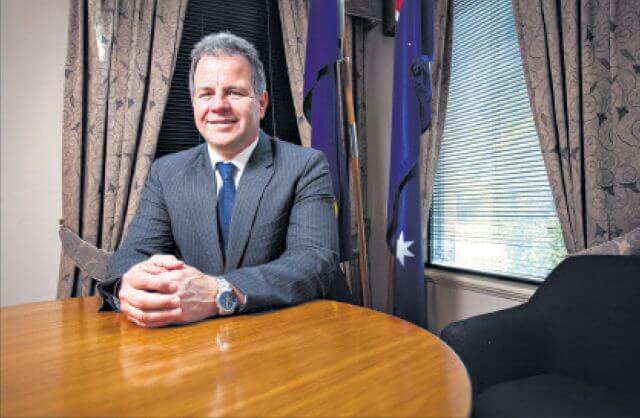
point(344, 80)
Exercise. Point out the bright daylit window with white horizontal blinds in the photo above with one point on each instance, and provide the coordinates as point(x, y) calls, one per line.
point(492, 209)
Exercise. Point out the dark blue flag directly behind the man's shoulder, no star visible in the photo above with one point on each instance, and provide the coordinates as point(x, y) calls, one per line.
point(321, 107)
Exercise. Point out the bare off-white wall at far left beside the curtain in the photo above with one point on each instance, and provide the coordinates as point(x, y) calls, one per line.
point(33, 48)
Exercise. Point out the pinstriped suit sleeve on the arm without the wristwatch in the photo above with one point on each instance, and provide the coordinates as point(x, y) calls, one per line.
point(149, 233)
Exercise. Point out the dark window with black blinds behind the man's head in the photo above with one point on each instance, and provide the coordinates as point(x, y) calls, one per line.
point(259, 23)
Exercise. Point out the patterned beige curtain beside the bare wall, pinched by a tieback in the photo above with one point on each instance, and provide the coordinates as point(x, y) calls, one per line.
point(120, 60)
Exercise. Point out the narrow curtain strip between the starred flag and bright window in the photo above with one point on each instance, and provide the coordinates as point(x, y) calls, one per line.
point(440, 77)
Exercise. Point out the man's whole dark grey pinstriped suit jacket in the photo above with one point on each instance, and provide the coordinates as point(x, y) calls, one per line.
point(283, 240)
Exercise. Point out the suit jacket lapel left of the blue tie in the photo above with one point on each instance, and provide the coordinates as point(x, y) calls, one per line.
point(202, 200)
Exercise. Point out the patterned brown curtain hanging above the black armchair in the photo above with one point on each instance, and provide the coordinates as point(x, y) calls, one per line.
point(582, 66)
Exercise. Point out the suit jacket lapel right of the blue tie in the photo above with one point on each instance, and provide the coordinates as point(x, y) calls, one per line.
point(254, 179)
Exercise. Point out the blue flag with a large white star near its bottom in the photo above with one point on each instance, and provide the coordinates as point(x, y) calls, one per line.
point(411, 117)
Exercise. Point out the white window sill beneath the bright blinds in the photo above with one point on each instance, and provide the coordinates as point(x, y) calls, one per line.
point(519, 292)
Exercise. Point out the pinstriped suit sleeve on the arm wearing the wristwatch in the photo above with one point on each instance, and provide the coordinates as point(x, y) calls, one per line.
point(310, 261)
